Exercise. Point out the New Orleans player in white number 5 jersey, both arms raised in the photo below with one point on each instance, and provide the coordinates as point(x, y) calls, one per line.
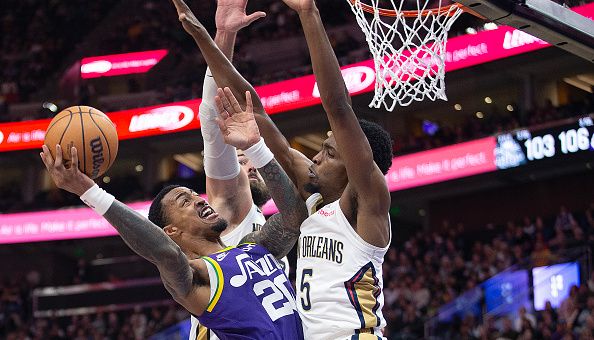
point(342, 245)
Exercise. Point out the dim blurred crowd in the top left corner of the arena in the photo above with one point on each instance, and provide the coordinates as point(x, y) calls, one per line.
point(36, 36)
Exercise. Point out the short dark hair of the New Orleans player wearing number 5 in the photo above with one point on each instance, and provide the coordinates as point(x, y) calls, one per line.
point(380, 142)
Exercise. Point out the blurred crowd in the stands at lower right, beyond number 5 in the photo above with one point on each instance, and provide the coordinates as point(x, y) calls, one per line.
point(431, 269)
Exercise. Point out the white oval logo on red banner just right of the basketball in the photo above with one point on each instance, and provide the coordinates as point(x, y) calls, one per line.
point(165, 118)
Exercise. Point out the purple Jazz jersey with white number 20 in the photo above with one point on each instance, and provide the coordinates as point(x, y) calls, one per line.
point(251, 297)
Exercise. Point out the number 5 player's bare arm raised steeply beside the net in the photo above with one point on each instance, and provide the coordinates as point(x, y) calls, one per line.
point(366, 195)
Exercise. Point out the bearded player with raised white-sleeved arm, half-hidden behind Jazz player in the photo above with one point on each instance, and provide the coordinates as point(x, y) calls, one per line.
point(234, 187)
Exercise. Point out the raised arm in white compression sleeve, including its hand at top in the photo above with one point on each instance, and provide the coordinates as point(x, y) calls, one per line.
point(227, 187)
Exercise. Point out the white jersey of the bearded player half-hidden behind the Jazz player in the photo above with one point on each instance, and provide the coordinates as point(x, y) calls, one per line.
point(253, 221)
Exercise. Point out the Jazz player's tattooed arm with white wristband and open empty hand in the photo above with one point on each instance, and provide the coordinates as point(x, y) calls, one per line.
point(239, 128)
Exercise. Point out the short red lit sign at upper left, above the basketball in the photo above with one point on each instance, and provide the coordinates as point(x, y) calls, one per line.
point(119, 64)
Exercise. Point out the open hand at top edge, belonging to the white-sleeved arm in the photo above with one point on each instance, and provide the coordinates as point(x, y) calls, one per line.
point(231, 15)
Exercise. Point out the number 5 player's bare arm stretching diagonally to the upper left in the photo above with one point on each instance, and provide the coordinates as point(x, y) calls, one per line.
point(226, 75)
